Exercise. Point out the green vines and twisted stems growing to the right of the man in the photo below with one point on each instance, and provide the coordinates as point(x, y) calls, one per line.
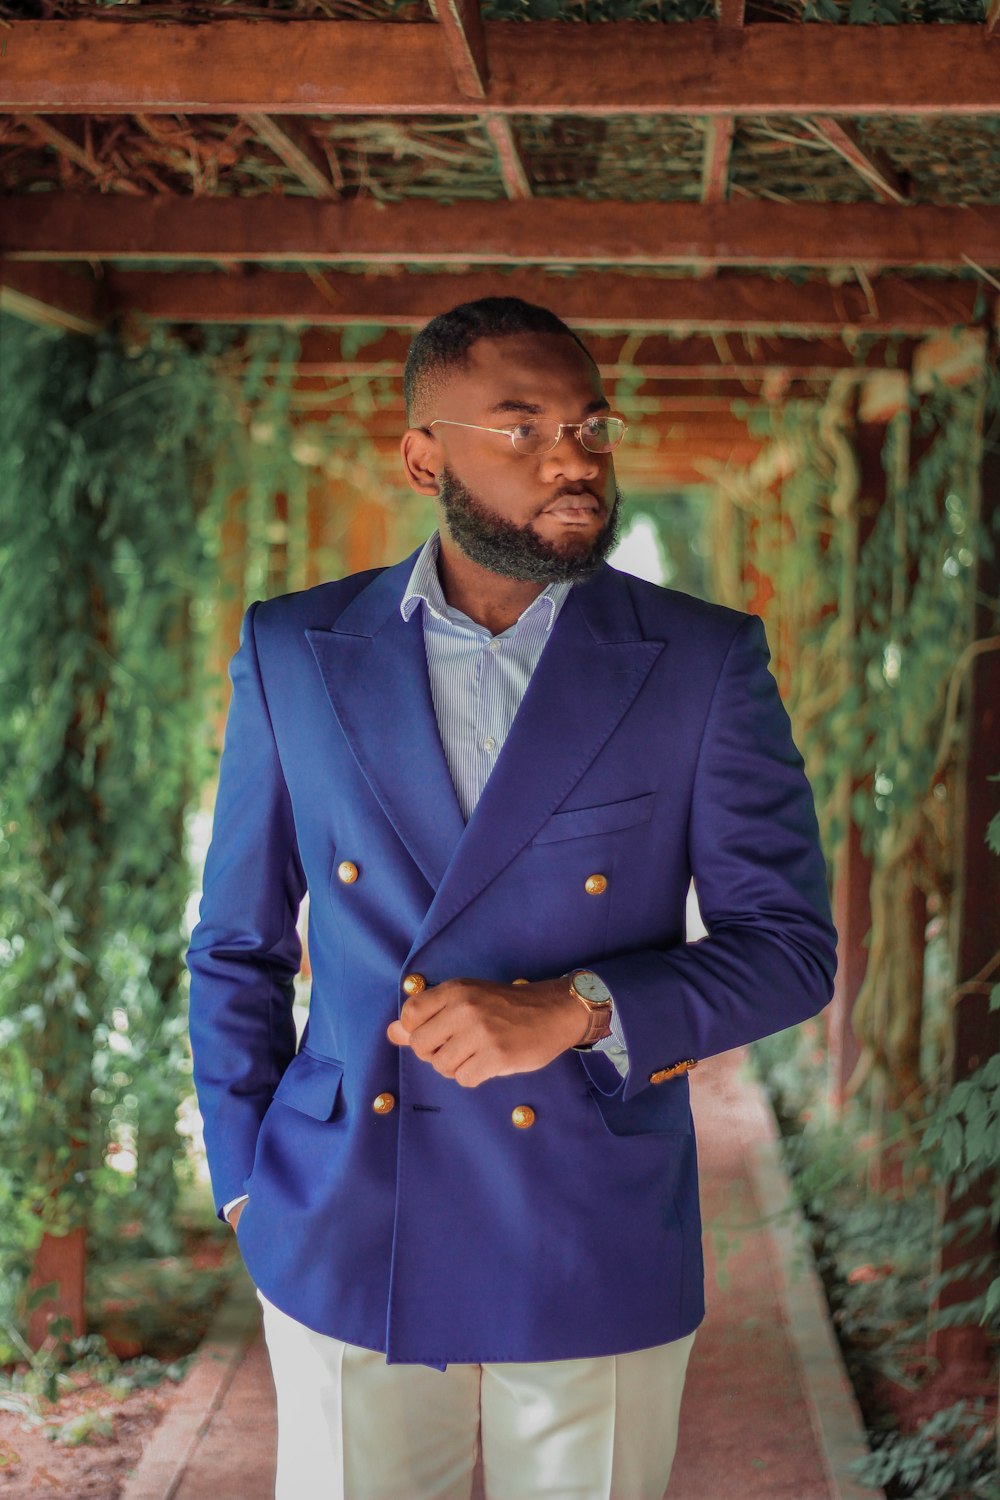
point(882, 646)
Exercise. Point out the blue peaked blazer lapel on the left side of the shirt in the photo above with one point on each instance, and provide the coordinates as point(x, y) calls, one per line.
point(376, 671)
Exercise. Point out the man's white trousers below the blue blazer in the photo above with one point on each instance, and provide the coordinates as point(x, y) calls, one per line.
point(350, 1427)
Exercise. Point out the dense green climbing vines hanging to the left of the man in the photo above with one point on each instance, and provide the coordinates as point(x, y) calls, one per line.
point(116, 469)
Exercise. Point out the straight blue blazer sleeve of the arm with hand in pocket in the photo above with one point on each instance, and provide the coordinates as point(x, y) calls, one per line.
point(245, 950)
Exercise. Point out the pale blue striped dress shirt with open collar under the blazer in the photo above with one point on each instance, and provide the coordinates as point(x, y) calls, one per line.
point(478, 682)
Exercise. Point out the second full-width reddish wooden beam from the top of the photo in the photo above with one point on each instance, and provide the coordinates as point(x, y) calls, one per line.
point(65, 227)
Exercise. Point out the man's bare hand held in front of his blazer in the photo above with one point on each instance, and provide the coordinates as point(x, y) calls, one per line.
point(473, 1031)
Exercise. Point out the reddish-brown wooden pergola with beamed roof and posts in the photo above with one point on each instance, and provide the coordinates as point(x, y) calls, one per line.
point(741, 208)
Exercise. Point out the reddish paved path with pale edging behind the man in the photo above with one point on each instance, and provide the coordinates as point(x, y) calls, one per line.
point(767, 1411)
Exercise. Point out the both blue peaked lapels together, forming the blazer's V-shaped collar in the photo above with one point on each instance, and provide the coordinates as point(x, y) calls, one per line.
point(376, 671)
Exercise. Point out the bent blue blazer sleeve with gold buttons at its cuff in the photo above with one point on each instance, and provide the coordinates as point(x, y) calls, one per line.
point(761, 877)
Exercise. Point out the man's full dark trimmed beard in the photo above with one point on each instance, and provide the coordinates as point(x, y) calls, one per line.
point(519, 553)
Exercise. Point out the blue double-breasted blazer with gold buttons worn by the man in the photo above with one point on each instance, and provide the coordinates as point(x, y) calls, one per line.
point(651, 748)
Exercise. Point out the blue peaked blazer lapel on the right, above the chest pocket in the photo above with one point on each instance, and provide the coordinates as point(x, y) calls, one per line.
point(587, 679)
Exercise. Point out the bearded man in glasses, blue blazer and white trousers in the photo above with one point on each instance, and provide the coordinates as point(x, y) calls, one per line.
point(470, 1198)
